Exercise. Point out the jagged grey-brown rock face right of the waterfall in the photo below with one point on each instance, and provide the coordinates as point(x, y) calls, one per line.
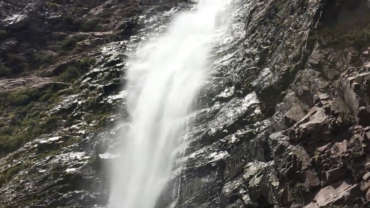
point(307, 144)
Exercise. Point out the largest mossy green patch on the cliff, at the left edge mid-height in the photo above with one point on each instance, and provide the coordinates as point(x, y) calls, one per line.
point(24, 116)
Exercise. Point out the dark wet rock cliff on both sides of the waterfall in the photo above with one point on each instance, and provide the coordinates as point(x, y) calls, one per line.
point(284, 122)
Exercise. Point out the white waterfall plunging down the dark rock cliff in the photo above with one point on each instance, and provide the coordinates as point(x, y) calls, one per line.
point(164, 77)
